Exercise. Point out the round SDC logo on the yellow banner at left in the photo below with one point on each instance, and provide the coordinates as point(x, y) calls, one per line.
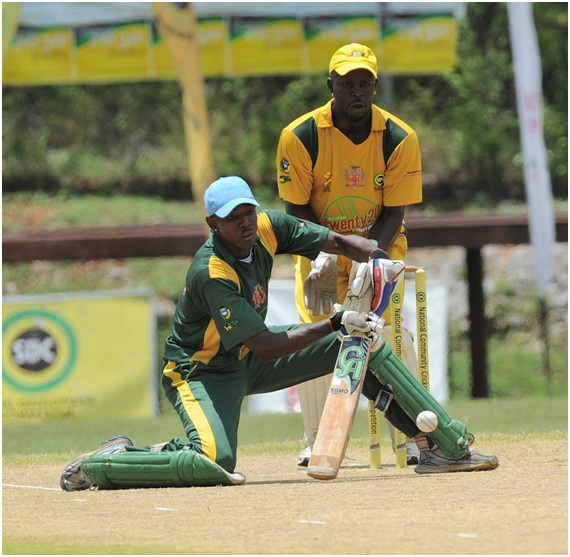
point(38, 350)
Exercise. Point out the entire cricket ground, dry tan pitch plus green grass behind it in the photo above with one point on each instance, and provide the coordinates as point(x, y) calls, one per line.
point(280, 510)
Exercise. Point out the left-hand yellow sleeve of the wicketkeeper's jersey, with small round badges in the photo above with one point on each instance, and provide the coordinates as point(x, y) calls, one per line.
point(294, 169)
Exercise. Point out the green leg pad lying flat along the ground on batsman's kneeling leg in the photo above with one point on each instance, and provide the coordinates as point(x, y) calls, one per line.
point(132, 469)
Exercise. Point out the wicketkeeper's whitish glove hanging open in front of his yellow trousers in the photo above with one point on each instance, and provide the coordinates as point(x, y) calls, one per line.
point(320, 286)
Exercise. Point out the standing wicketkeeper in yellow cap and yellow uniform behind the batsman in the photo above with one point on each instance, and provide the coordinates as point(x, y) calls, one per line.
point(352, 167)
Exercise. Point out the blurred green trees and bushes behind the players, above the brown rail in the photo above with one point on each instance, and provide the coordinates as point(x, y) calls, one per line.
point(129, 138)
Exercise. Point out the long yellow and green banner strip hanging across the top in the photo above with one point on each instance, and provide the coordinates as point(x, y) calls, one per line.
point(83, 44)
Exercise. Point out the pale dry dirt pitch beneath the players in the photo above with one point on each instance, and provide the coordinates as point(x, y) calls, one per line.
point(520, 508)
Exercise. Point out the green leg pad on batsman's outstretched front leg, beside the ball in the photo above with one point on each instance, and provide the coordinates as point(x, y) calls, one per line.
point(413, 398)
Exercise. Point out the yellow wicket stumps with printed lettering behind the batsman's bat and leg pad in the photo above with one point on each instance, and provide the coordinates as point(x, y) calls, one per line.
point(396, 304)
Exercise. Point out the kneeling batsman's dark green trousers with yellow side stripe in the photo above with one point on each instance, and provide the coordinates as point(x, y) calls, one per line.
point(209, 404)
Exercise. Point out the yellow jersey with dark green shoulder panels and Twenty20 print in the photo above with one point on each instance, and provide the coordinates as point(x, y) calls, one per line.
point(347, 185)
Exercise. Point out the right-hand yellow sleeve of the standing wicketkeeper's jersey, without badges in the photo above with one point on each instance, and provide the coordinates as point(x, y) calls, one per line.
point(403, 178)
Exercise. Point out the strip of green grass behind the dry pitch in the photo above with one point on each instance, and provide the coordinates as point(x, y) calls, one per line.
point(55, 442)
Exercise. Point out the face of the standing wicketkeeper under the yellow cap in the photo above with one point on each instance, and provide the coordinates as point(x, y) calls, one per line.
point(353, 94)
